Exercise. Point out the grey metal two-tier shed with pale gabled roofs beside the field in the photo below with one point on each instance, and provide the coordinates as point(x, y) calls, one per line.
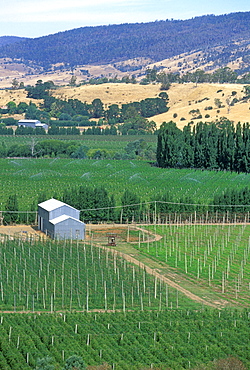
point(59, 220)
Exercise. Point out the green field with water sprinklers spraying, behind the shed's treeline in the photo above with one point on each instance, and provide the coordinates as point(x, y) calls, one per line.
point(29, 177)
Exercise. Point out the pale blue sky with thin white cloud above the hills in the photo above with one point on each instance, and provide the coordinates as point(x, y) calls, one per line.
point(35, 18)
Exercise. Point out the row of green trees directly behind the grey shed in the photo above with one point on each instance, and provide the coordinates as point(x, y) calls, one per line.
point(97, 205)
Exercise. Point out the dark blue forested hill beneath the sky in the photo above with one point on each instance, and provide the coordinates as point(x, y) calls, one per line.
point(155, 40)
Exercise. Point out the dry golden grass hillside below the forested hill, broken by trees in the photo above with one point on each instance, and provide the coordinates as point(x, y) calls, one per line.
point(183, 98)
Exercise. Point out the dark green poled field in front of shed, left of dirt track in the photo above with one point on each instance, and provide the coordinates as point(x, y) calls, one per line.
point(53, 276)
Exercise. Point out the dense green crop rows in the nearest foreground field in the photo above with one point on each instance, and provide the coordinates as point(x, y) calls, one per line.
point(173, 339)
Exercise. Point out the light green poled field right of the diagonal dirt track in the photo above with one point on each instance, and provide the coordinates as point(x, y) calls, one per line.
point(214, 256)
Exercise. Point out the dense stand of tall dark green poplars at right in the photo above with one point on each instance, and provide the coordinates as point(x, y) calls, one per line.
point(214, 146)
